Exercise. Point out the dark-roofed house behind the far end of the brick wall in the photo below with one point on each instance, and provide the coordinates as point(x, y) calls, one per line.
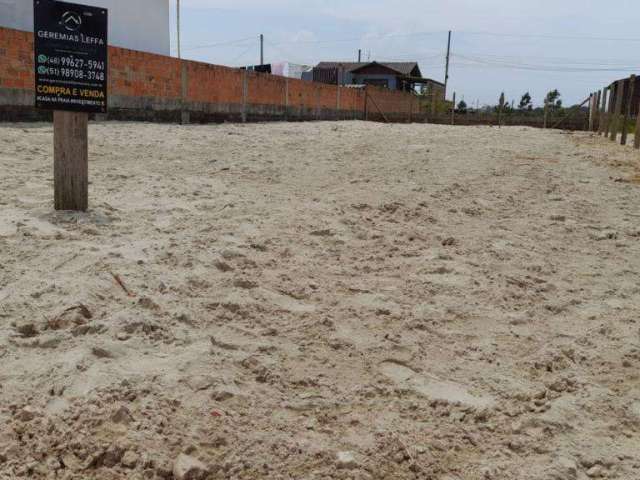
point(404, 76)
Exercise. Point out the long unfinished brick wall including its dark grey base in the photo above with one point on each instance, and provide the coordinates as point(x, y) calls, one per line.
point(156, 87)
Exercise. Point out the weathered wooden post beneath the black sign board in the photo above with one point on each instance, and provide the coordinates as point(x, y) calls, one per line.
point(71, 160)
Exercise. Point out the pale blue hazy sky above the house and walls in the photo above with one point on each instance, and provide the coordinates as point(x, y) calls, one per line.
point(515, 46)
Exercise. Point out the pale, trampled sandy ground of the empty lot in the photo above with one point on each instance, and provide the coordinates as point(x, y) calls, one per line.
point(321, 301)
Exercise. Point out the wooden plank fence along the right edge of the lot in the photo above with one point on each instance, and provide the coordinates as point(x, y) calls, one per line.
point(615, 110)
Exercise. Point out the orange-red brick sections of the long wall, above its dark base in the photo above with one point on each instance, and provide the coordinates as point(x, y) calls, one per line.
point(157, 79)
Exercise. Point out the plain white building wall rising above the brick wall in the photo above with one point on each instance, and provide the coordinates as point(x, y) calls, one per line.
point(135, 24)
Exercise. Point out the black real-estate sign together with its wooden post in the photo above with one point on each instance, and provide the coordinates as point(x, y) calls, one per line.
point(70, 53)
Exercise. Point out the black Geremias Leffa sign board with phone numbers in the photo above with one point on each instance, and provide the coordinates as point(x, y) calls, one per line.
point(70, 44)
